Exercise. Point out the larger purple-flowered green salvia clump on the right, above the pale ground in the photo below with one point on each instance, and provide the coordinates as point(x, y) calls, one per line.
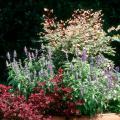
point(93, 82)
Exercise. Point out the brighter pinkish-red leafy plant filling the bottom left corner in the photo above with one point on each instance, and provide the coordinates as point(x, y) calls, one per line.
point(14, 107)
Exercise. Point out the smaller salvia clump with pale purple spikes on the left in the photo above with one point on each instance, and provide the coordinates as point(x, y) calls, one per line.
point(25, 74)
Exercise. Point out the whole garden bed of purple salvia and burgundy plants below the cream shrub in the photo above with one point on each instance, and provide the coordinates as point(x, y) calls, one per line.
point(85, 85)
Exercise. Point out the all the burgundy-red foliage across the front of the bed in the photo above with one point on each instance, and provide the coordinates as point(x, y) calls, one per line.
point(40, 104)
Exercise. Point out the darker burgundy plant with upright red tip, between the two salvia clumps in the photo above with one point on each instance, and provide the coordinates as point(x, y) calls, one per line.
point(57, 98)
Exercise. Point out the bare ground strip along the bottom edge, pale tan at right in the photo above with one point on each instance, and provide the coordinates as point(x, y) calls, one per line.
point(108, 116)
